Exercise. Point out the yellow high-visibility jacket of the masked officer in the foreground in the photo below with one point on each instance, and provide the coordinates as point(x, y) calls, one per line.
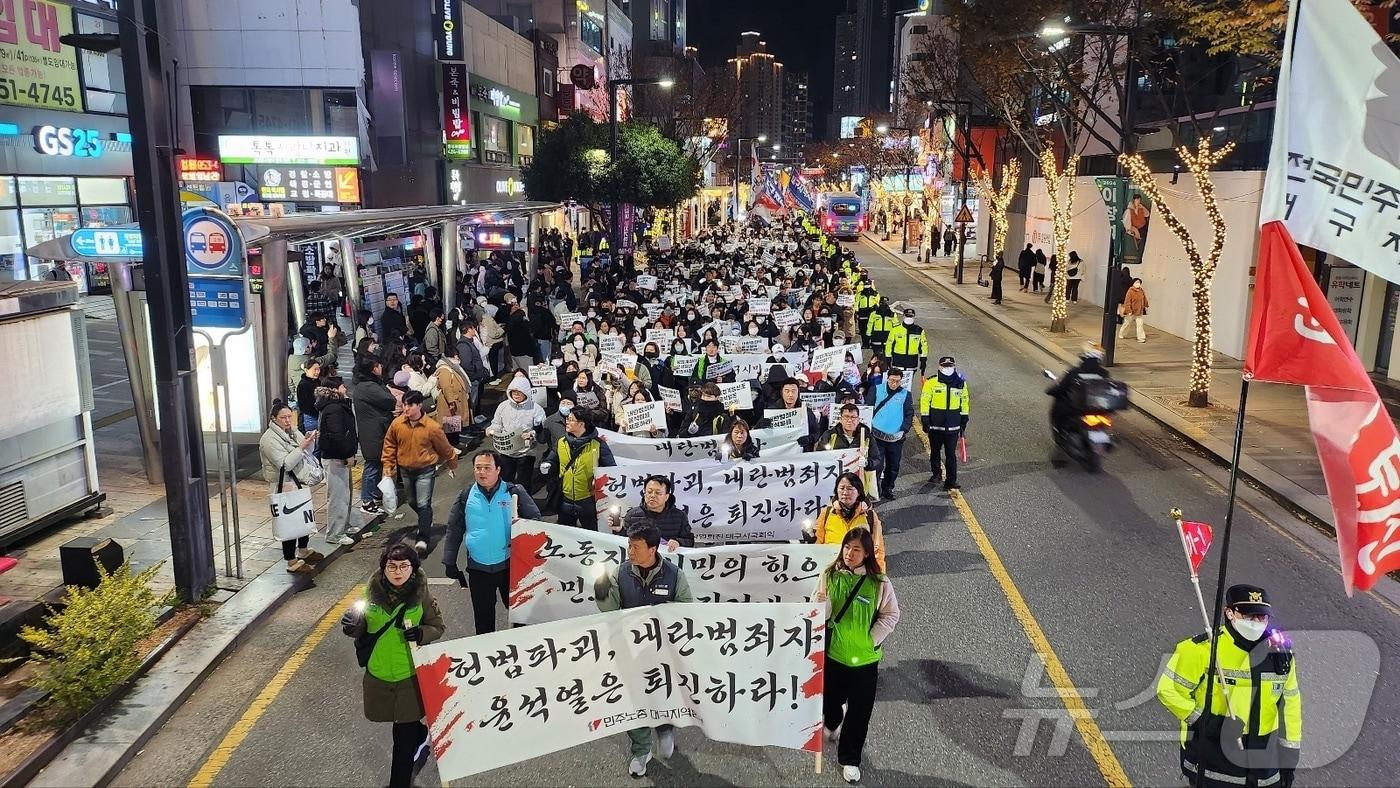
point(1182, 687)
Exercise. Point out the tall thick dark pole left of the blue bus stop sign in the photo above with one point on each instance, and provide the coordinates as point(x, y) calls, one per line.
point(167, 293)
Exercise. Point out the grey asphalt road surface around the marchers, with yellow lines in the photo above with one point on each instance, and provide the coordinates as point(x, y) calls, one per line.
point(1055, 566)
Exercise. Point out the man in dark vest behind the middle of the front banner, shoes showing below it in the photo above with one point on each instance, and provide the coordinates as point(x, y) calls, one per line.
point(645, 579)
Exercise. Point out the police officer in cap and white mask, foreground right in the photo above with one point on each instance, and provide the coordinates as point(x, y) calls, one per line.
point(1252, 734)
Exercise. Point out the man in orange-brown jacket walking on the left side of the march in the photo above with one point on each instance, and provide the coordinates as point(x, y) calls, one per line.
point(416, 446)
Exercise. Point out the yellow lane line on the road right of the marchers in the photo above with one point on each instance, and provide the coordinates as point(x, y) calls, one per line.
point(1090, 733)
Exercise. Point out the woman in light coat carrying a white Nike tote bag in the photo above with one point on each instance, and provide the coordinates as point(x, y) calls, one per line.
point(286, 456)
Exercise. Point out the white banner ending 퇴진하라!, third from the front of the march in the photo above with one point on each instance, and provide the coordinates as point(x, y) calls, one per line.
point(764, 500)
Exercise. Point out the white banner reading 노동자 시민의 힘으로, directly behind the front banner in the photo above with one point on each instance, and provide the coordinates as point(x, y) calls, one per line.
point(554, 569)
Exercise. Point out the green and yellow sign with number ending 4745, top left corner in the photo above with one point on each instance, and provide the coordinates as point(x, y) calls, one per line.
point(36, 69)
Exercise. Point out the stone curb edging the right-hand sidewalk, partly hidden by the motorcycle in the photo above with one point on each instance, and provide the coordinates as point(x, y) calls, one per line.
point(1277, 486)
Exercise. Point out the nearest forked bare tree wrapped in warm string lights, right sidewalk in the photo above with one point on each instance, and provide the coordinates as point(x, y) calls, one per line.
point(1203, 265)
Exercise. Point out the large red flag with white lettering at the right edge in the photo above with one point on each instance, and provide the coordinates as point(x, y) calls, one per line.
point(1294, 338)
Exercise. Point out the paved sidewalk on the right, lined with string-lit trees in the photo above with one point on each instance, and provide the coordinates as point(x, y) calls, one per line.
point(1277, 451)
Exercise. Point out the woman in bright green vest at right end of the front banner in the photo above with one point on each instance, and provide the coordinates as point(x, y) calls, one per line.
point(862, 611)
